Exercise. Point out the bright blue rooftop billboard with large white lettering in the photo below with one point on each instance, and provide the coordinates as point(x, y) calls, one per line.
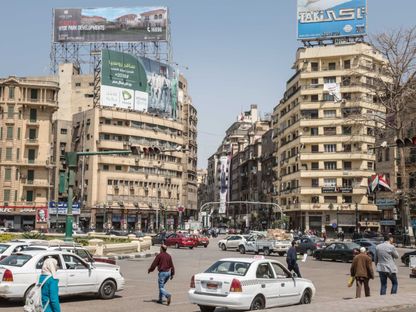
point(324, 19)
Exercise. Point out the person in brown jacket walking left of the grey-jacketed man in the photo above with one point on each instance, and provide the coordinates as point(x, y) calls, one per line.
point(362, 271)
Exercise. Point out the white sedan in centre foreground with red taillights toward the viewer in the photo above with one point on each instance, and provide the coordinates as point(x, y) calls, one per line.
point(248, 284)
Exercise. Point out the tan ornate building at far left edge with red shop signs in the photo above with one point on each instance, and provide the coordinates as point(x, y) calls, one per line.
point(26, 107)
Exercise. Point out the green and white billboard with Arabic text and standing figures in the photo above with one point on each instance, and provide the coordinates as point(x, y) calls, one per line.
point(139, 84)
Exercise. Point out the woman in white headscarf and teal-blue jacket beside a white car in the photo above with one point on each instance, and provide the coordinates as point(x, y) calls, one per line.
point(50, 290)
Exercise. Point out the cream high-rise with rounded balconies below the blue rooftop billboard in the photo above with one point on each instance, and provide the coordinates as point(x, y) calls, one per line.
point(324, 155)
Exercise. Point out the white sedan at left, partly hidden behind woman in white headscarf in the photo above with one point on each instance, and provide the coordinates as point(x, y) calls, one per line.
point(20, 271)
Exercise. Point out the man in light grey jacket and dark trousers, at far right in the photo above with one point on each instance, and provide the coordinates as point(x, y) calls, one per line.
point(385, 265)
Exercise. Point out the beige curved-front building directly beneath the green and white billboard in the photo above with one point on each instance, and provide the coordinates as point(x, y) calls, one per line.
point(149, 189)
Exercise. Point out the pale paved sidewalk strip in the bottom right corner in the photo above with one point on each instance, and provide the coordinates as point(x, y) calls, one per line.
point(371, 304)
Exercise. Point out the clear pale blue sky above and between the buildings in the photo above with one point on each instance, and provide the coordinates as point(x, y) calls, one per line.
point(238, 52)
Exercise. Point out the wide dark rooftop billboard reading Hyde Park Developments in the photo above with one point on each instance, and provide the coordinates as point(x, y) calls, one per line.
point(110, 24)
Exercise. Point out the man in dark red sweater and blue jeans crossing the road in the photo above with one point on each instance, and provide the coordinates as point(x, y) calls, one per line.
point(164, 264)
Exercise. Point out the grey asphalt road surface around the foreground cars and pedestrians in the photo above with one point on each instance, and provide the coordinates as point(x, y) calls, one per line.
point(330, 279)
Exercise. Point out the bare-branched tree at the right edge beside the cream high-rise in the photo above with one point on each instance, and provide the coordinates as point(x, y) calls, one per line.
point(392, 84)
